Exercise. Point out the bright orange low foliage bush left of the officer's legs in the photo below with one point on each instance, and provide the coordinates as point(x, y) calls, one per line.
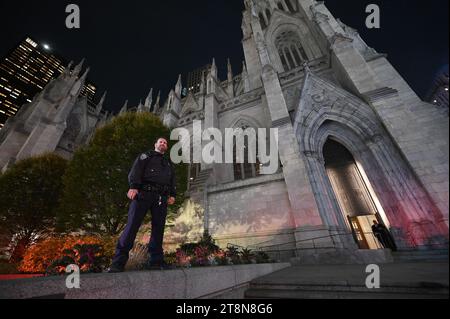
point(39, 258)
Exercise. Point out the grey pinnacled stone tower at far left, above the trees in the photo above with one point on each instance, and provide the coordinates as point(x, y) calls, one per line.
point(58, 120)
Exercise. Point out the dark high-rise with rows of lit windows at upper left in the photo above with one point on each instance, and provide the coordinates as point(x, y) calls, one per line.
point(25, 71)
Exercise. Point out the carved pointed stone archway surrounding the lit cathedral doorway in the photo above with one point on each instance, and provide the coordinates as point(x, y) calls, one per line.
point(325, 112)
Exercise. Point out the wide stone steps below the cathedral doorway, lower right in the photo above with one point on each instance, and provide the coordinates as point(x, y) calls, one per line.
point(398, 281)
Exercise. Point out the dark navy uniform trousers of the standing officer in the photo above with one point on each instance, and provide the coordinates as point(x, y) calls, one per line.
point(144, 202)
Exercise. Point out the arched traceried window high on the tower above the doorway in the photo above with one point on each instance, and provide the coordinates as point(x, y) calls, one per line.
point(292, 54)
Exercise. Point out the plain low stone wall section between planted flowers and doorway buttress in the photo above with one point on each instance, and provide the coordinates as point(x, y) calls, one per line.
point(249, 211)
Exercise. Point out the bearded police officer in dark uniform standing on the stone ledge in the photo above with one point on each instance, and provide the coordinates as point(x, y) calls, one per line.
point(152, 187)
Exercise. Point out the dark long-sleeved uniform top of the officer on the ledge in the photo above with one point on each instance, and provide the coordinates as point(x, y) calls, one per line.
point(153, 168)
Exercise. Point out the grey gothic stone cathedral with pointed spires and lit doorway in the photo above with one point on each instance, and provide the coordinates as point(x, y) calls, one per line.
point(356, 144)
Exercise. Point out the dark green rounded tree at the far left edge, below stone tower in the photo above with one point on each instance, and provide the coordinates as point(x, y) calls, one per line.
point(29, 194)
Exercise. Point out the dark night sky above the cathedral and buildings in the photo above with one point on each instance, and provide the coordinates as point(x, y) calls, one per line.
point(134, 45)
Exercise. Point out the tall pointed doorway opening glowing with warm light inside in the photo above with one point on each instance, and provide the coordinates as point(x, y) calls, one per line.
point(352, 193)
